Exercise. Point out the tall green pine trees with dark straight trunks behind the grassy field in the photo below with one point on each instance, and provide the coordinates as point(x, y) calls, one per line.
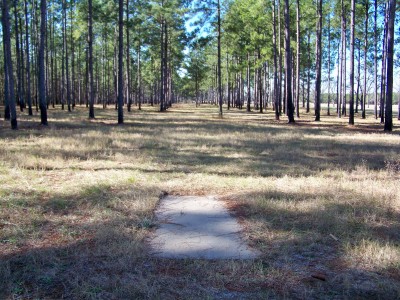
point(262, 53)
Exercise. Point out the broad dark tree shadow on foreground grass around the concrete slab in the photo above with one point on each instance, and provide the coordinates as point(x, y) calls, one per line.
point(110, 258)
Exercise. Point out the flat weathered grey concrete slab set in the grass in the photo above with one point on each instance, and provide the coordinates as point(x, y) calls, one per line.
point(198, 228)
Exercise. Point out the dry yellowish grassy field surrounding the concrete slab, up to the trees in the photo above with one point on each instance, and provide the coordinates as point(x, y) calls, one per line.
point(321, 201)
